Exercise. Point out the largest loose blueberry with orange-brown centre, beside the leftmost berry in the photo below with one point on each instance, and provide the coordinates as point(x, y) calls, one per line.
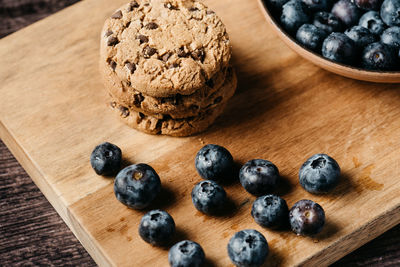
point(137, 185)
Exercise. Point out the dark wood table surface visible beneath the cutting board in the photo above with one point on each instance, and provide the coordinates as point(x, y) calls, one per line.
point(31, 232)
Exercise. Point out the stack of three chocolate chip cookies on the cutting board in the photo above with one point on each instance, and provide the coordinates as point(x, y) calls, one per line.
point(165, 64)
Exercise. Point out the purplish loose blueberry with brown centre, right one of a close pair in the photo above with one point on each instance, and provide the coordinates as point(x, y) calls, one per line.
point(306, 217)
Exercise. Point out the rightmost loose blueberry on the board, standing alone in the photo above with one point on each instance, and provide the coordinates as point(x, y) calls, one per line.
point(319, 174)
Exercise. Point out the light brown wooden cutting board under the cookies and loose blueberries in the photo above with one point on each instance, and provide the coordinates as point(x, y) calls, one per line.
point(53, 113)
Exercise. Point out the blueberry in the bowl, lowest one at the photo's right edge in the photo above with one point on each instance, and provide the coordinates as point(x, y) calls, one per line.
point(378, 56)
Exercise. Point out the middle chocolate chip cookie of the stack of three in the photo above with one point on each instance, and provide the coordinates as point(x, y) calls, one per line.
point(178, 106)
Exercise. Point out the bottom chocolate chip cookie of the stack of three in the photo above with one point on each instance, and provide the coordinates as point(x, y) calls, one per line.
point(166, 125)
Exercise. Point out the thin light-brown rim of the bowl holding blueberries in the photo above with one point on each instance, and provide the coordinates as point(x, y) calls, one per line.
point(290, 41)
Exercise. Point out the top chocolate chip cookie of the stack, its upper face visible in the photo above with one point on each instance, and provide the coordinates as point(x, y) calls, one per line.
point(165, 47)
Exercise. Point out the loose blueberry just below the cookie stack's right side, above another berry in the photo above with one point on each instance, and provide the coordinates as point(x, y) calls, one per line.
point(214, 162)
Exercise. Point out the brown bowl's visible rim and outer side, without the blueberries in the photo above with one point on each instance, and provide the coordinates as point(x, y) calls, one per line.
point(338, 68)
